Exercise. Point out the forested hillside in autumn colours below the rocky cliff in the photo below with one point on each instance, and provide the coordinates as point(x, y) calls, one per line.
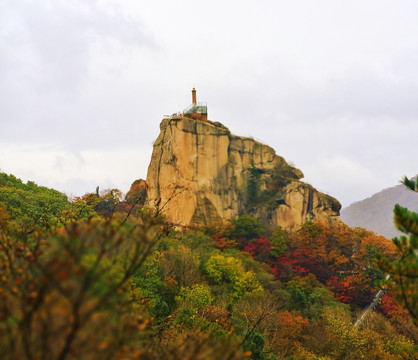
point(104, 278)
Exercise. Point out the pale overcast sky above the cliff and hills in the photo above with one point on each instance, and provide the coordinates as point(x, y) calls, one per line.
point(331, 85)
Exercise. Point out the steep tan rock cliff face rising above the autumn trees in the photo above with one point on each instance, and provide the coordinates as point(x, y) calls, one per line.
point(201, 174)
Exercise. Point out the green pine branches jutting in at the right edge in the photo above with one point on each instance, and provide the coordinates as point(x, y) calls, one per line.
point(404, 272)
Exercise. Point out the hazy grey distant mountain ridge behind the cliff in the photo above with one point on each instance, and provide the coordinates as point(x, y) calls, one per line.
point(376, 212)
